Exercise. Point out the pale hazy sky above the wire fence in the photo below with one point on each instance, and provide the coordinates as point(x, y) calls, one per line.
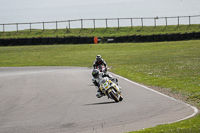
point(24, 11)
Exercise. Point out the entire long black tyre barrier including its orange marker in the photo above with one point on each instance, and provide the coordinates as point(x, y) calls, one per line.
point(92, 40)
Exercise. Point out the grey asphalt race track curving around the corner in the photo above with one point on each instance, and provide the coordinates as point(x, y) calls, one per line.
point(62, 100)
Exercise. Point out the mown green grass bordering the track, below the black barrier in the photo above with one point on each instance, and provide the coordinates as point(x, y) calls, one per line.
point(172, 66)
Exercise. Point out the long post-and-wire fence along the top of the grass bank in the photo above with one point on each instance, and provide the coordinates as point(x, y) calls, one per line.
point(104, 23)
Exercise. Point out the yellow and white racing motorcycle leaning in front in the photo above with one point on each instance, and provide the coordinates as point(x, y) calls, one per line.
point(110, 89)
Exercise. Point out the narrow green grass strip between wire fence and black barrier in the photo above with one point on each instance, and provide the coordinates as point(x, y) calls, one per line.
point(102, 32)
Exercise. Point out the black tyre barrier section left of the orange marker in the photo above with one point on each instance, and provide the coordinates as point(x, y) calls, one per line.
point(46, 41)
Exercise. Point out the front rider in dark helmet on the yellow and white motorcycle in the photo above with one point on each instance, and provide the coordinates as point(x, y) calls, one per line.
point(97, 76)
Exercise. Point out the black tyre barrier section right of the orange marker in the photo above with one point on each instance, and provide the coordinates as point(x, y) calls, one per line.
point(153, 38)
